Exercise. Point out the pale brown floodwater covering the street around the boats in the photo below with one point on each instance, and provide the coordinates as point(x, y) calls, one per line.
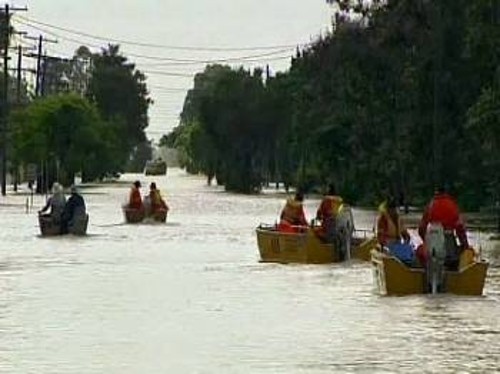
point(191, 297)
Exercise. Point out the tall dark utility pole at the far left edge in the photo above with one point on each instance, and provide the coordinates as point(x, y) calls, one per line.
point(5, 95)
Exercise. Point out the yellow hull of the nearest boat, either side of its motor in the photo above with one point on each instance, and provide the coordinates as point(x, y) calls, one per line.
point(392, 277)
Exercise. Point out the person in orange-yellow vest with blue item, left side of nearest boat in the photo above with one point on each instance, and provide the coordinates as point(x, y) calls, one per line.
point(392, 233)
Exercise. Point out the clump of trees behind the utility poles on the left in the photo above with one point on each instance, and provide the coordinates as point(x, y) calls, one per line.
point(89, 118)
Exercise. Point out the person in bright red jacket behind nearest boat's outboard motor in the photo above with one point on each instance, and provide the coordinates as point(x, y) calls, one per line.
point(443, 209)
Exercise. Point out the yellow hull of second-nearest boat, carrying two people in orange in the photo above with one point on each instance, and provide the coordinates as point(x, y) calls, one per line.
point(305, 247)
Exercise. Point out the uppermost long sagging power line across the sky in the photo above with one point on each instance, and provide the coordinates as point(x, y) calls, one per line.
point(152, 45)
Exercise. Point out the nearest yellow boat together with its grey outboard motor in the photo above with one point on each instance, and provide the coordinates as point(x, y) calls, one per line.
point(393, 277)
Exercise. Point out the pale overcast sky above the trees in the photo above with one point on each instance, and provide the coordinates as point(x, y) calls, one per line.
point(182, 36)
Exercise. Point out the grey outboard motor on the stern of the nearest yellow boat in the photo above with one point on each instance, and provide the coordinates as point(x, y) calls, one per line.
point(435, 244)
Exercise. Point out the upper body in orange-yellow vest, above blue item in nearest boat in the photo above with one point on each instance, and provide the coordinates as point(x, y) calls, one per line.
point(390, 227)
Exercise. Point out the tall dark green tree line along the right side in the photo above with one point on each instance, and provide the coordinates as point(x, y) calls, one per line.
point(401, 96)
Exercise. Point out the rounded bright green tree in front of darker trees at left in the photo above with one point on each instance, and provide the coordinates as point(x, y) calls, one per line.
point(63, 129)
